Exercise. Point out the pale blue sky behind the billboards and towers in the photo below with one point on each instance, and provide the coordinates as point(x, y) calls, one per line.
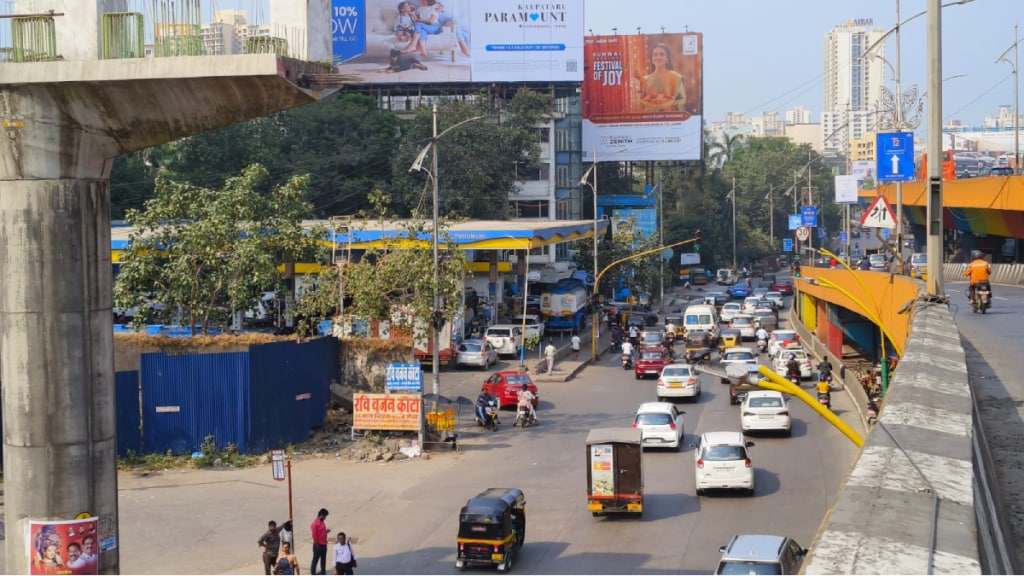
point(767, 56)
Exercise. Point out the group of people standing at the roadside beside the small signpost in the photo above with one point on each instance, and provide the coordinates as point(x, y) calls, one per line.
point(279, 549)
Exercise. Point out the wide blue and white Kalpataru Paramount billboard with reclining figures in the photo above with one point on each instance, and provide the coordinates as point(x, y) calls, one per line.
point(454, 42)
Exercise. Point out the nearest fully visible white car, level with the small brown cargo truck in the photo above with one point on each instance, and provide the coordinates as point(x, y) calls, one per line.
point(723, 462)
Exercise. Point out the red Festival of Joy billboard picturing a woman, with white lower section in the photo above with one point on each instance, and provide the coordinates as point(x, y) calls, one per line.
point(644, 98)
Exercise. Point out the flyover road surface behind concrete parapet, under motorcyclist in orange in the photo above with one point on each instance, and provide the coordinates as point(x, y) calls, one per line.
point(993, 346)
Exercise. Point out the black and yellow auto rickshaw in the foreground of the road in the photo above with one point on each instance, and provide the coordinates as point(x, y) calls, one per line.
point(492, 529)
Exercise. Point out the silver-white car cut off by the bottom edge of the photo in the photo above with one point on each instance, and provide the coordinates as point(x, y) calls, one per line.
point(761, 554)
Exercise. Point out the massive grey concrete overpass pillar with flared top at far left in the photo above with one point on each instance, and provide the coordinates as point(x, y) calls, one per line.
point(61, 126)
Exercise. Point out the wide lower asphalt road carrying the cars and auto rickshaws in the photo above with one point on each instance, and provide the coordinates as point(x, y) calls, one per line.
point(406, 515)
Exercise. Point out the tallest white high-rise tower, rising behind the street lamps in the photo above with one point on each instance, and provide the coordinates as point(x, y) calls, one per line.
point(854, 83)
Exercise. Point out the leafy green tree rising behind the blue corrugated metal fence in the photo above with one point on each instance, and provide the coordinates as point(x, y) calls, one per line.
point(205, 254)
